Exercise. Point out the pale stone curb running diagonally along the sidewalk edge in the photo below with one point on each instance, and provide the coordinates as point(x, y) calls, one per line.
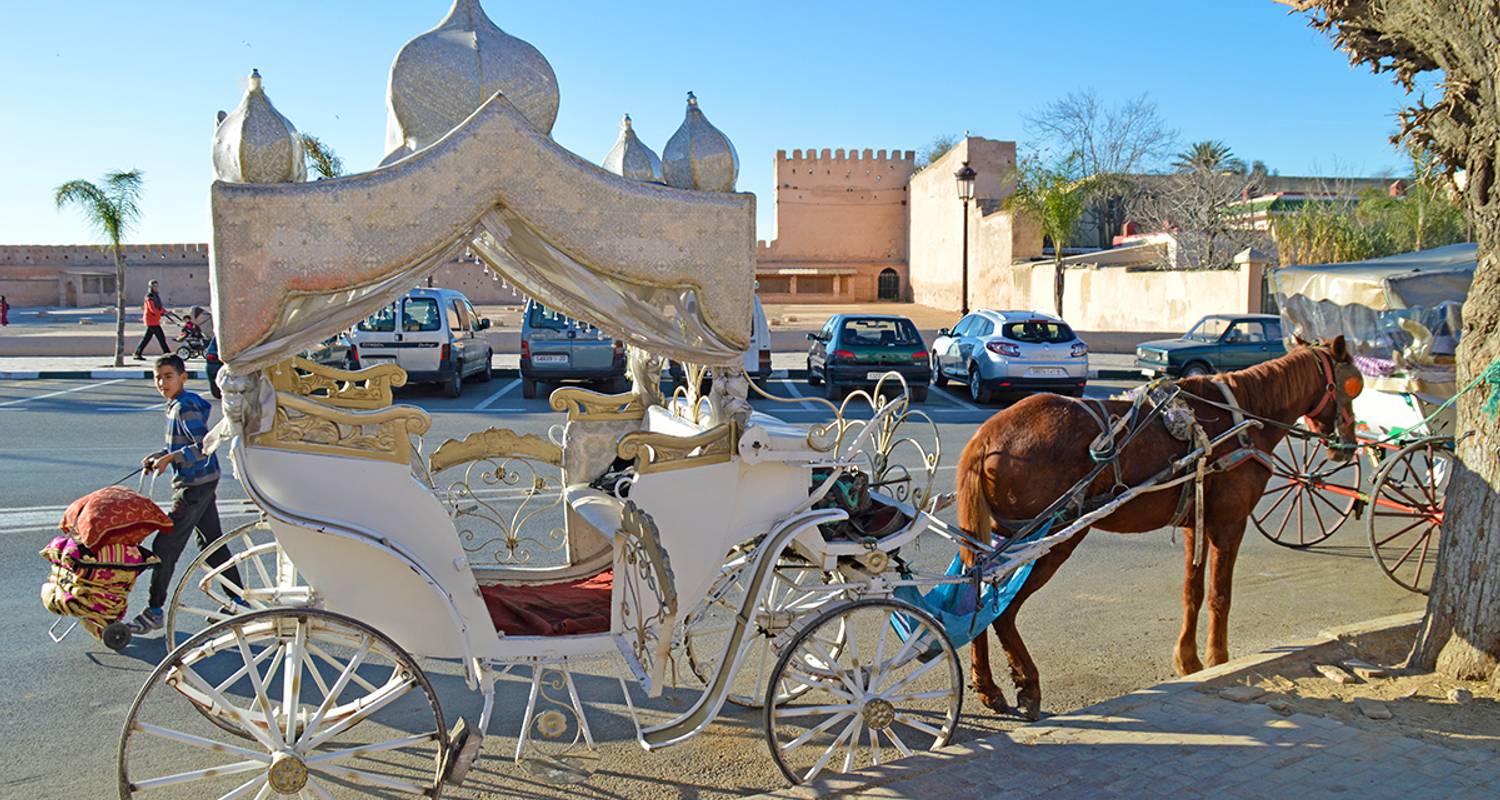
point(926, 763)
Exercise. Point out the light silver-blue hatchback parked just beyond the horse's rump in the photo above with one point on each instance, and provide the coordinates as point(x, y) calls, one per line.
point(1012, 352)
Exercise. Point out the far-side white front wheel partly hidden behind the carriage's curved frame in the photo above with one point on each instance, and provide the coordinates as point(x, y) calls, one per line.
point(797, 589)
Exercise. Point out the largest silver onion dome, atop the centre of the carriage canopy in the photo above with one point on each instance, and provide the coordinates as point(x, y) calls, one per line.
point(443, 76)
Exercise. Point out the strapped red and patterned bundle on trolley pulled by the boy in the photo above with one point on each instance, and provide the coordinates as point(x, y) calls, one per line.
point(97, 561)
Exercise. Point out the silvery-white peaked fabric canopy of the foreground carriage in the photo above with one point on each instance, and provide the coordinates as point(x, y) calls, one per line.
point(670, 271)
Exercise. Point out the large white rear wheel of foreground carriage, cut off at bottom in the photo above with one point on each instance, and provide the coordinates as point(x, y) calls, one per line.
point(323, 706)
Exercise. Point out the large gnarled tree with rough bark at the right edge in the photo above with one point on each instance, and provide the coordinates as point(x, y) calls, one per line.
point(1460, 40)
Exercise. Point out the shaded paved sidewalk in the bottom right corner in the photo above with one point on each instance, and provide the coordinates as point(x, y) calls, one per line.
point(1183, 739)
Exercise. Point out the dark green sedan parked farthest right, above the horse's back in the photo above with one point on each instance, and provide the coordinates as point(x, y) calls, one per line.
point(1220, 343)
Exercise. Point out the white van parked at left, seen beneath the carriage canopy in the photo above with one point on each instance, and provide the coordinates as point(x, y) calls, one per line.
point(433, 334)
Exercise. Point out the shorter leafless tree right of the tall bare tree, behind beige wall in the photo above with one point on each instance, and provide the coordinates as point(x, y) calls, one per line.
point(1205, 209)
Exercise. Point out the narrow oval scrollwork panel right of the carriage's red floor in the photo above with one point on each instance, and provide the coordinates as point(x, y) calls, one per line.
point(647, 595)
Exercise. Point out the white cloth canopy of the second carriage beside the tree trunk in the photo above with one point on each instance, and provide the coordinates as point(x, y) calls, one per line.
point(1396, 313)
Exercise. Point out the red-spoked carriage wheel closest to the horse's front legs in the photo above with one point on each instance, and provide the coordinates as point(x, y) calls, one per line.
point(1310, 496)
